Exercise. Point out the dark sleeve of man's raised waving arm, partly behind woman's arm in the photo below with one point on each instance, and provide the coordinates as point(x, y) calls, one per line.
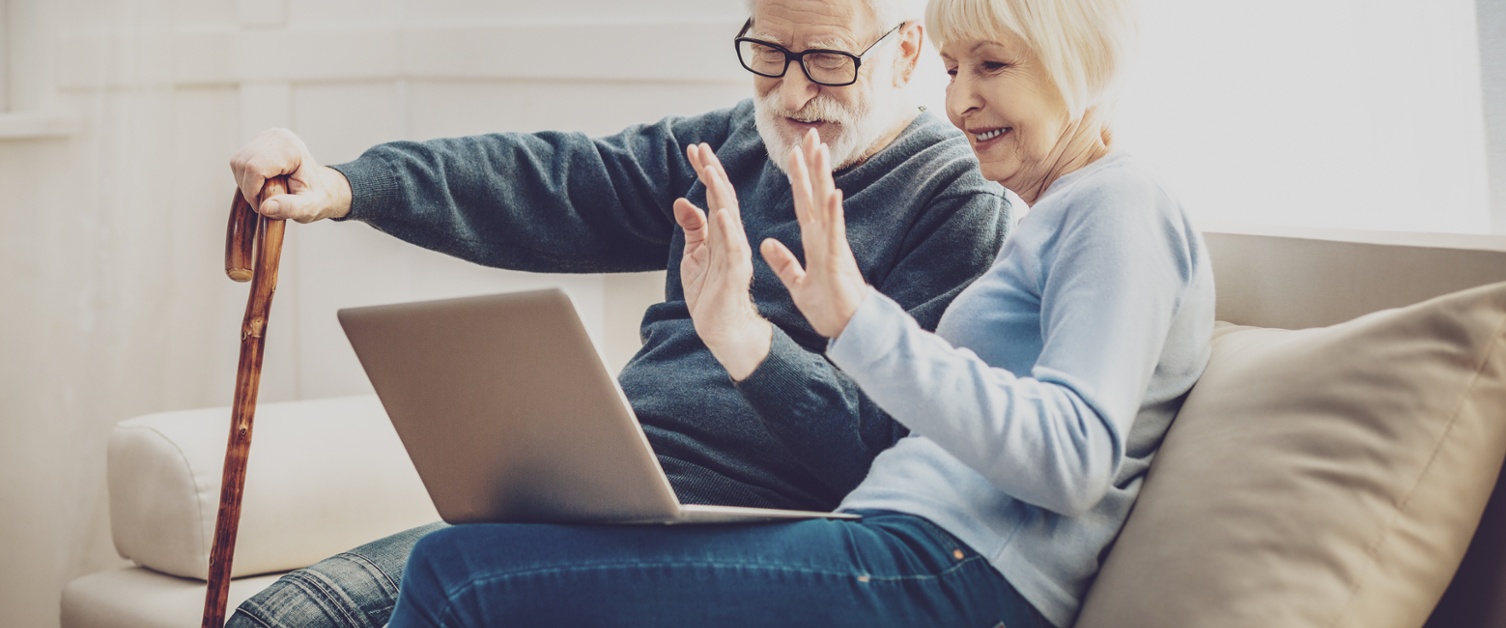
point(819, 412)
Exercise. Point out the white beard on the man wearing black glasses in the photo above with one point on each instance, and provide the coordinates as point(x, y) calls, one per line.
point(859, 129)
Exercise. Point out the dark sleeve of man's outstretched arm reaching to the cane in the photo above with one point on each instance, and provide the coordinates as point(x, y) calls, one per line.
point(547, 203)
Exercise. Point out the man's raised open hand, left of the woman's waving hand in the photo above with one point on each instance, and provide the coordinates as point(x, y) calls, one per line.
point(718, 272)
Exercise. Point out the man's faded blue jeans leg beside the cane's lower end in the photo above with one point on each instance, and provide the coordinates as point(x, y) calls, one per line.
point(353, 590)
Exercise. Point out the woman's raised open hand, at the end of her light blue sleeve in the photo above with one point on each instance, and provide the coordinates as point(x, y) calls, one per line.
point(831, 288)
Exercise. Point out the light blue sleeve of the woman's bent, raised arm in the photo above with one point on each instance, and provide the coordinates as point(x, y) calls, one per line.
point(1109, 291)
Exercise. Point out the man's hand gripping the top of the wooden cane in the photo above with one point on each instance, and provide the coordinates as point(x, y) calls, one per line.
point(314, 192)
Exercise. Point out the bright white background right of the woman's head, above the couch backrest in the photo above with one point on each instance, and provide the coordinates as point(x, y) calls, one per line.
point(1312, 112)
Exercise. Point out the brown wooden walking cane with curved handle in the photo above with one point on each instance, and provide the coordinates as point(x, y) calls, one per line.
point(248, 231)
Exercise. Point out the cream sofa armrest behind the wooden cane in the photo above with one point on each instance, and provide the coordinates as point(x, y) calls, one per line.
point(323, 477)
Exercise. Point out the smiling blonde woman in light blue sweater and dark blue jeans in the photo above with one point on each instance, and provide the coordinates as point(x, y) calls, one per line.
point(1034, 410)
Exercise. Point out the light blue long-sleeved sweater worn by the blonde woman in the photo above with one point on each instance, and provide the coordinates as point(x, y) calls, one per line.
point(1040, 401)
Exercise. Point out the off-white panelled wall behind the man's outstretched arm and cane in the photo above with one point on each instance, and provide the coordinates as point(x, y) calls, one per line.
point(112, 239)
